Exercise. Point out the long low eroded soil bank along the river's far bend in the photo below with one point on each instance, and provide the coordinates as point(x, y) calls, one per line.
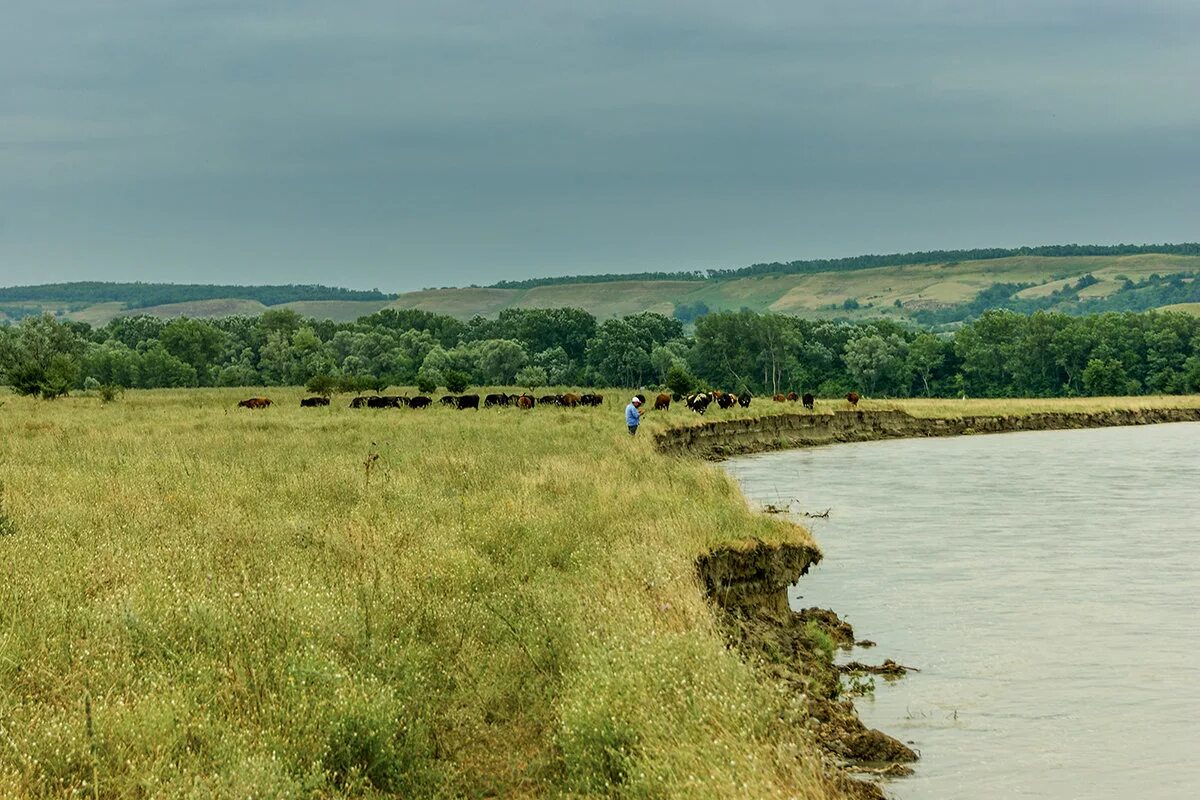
point(723, 438)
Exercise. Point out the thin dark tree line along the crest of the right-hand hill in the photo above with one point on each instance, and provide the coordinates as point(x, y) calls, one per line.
point(863, 263)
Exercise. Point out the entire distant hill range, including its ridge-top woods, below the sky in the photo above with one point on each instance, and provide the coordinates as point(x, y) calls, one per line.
point(932, 292)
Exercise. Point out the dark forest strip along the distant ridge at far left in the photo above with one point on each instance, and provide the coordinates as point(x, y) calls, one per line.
point(143, 296)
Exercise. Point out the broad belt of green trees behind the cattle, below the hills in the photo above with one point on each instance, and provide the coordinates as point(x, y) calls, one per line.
point(1001, 354)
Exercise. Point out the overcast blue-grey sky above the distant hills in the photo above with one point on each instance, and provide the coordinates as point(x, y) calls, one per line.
point(399, 146)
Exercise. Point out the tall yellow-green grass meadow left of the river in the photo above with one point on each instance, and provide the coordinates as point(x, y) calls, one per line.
point(203, 601)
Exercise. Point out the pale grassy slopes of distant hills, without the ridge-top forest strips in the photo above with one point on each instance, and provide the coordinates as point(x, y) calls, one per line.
point(899, 292)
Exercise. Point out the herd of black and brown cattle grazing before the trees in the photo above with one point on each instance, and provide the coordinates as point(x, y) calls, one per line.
point(697, 402)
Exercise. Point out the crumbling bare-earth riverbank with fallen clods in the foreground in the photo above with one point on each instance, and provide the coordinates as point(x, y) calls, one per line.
point(749, 588)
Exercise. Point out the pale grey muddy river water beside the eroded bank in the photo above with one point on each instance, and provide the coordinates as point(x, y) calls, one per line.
point(1048, 587)
